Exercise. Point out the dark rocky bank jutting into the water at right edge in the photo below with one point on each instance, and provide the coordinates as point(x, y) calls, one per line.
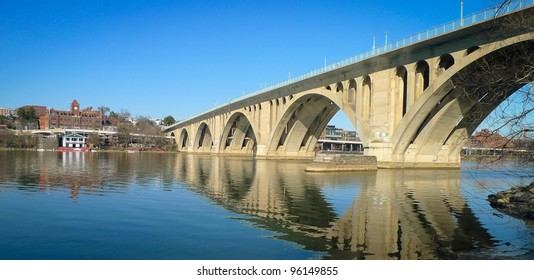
point(517, 201)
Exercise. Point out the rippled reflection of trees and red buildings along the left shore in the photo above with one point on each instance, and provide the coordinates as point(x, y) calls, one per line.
point(83, 173)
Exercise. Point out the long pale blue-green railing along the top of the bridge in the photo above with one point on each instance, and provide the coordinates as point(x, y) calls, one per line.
point(485, 15)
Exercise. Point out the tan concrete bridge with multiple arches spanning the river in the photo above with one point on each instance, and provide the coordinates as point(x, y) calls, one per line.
point(414, 102)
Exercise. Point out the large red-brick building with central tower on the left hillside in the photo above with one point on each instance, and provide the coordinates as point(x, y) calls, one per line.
point(76, 118)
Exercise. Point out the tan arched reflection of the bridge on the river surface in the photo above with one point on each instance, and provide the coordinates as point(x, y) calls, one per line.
point(393, 214)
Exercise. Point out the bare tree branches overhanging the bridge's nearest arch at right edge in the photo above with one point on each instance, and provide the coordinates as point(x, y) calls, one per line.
point(498, 87)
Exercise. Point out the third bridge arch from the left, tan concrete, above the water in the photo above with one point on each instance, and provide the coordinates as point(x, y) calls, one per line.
point(238, 135)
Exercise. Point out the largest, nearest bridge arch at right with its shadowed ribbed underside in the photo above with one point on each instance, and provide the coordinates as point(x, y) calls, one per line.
point(455, 104)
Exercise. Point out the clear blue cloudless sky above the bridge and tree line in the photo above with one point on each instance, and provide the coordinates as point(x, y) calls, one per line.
point(157, 58)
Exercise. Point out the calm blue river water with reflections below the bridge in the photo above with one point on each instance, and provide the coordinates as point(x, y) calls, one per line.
point(176, 206)
